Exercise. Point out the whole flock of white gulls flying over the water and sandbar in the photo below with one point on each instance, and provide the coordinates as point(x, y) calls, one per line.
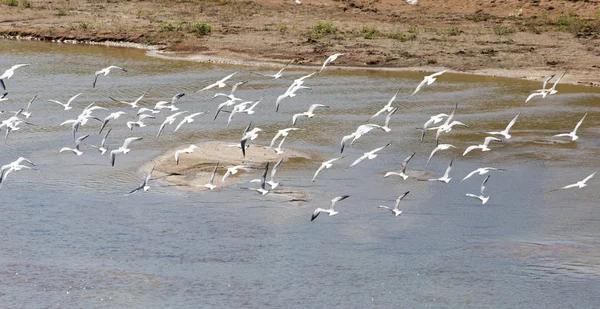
point(439, 124)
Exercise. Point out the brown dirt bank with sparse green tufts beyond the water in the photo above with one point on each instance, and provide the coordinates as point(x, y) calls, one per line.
point(525, 39)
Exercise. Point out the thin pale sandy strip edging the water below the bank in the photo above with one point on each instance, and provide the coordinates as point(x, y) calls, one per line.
point(532, 74)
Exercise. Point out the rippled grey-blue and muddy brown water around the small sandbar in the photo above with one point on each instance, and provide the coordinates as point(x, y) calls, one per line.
point(70, 238)
